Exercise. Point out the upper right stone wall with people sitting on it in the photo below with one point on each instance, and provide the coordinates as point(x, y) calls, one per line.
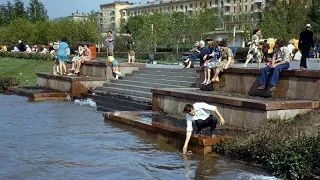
point(293, 84)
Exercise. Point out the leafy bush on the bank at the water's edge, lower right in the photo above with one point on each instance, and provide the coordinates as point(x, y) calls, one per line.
point(287, 149)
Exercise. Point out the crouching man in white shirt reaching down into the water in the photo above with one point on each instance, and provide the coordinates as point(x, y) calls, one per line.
point(201, 114)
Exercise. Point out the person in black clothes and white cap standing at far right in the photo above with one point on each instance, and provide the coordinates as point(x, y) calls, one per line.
point(305, 43)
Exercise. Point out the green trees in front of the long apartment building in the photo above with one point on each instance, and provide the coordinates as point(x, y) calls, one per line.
point(160, 29)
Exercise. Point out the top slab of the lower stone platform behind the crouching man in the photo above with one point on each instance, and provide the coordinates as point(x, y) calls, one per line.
point(267, 105)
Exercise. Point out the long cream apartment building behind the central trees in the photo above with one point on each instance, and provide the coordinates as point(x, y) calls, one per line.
point(235, 13)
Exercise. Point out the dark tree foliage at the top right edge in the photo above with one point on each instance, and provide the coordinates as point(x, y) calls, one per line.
point(314, 16)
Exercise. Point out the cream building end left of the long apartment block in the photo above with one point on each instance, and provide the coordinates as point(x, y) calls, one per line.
point(110, 15)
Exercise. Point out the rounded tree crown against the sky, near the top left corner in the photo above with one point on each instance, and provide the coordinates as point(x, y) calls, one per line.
point(36, 11)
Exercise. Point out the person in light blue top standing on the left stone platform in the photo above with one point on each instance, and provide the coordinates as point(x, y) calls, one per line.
point(62, 56)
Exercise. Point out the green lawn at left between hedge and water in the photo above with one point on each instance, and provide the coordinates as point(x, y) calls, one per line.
point(24, 69)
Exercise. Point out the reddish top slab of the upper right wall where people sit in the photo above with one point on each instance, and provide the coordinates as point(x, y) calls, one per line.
point(254, 71)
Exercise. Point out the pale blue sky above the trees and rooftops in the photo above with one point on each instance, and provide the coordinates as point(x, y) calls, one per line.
point(61, 8)
